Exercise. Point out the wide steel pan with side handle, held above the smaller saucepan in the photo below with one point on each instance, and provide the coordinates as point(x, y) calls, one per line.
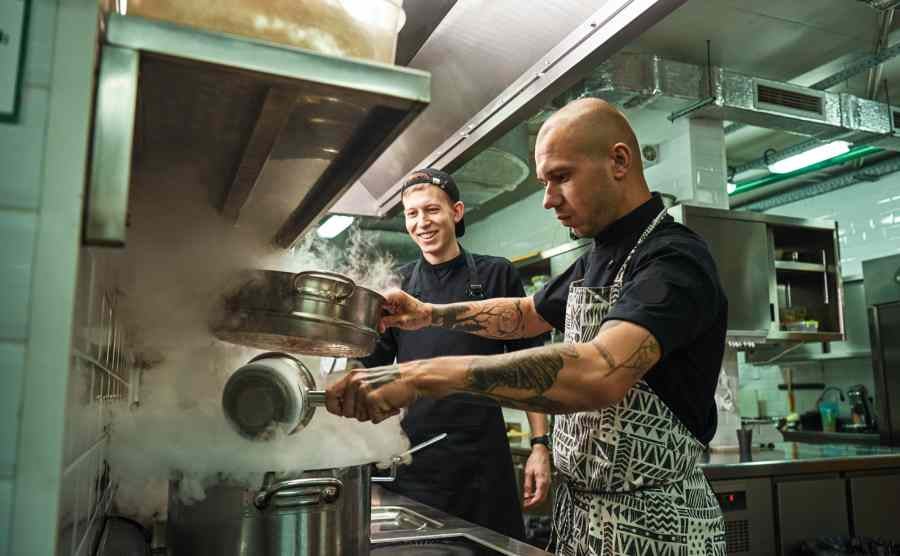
point(313, 313)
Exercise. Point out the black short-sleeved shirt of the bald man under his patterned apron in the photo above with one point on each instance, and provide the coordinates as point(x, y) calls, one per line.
point(671, 287)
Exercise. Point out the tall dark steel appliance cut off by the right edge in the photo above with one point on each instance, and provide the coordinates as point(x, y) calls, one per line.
point(881, 278)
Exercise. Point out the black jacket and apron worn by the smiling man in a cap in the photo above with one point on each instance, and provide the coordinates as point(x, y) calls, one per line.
point(469, 473)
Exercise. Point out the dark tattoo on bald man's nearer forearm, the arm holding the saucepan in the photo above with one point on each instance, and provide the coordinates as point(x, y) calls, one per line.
point(529, 372)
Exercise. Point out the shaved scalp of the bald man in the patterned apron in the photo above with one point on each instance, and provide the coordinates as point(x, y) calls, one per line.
point(592, 126)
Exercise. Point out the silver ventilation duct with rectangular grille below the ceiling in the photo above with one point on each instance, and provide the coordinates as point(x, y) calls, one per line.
point(632, 78)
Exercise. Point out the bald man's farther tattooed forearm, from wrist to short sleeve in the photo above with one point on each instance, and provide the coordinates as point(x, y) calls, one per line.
point(501, 318)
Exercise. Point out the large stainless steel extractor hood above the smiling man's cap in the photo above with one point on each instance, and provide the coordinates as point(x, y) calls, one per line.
point(495, 63)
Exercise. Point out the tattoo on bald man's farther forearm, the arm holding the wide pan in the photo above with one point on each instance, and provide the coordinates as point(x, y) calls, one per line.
point(494, 319)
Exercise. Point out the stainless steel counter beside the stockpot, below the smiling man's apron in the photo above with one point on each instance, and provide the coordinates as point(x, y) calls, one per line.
point(439, 525)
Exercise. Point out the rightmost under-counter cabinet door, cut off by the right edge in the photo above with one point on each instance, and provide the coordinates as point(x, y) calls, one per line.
point(876, 505)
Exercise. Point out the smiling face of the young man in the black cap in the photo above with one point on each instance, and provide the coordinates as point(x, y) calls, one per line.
point(431, 220)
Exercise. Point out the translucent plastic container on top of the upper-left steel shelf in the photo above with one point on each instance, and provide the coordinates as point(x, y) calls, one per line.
point(351, 28)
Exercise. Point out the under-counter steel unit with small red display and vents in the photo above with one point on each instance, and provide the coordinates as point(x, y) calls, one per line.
point(749, 519)
